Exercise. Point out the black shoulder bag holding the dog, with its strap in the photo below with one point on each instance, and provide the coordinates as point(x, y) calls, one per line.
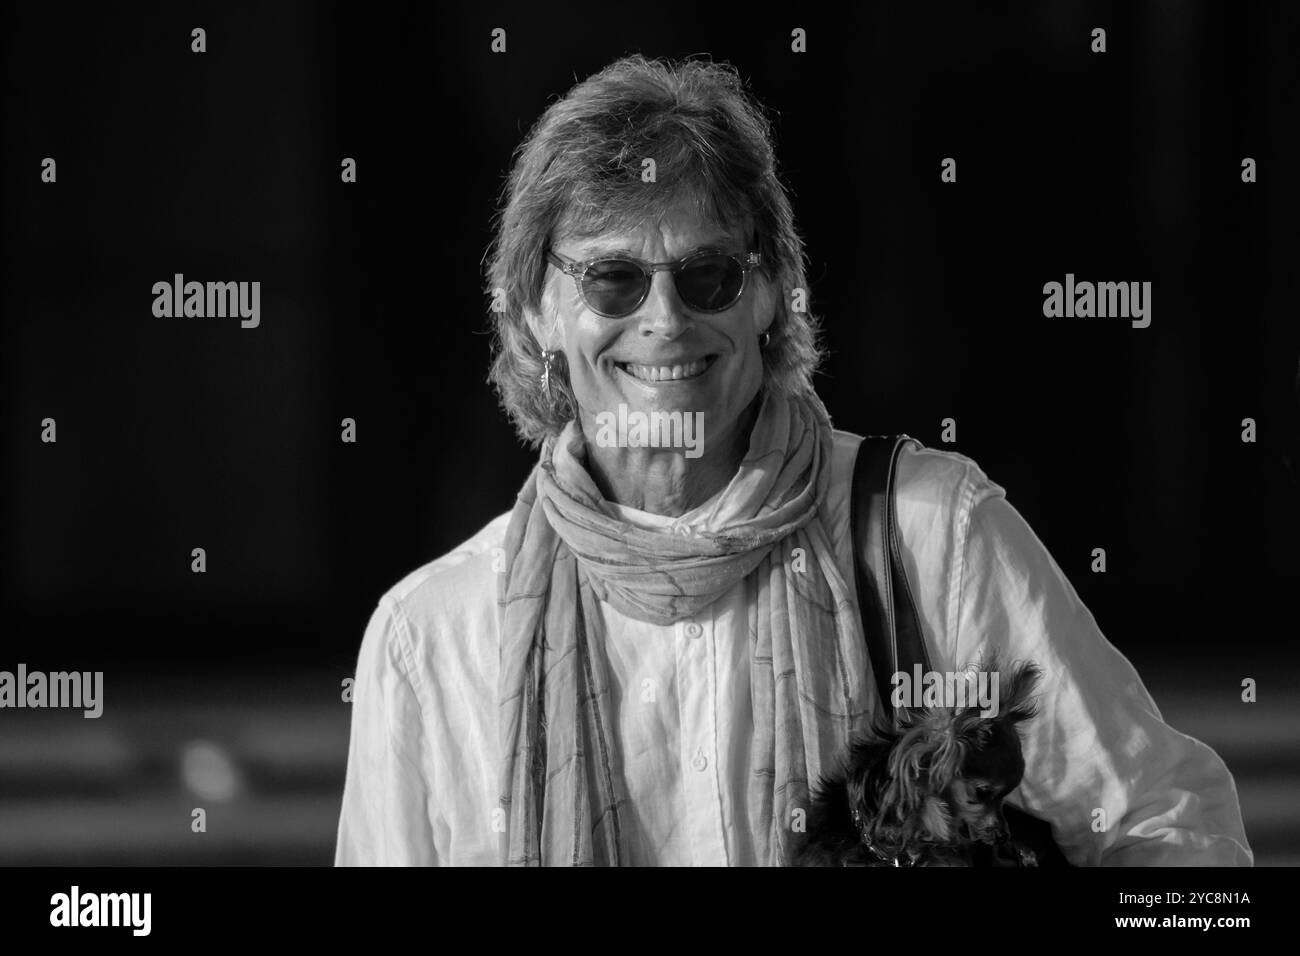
point(890, 618)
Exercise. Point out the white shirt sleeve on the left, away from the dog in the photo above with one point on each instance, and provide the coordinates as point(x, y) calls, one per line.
point(387, 814)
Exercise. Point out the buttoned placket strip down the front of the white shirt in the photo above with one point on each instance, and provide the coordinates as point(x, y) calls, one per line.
point(697, 697)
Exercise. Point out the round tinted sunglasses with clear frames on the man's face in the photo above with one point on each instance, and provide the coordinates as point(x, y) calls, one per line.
point(616, 287)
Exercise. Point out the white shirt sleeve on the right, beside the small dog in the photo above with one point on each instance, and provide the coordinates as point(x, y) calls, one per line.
point(1099, 742)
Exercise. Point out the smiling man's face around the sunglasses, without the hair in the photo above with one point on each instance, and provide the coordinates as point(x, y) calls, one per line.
point(632, 361)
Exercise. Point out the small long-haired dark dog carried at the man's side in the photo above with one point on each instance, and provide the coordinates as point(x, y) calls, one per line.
point(930, 791)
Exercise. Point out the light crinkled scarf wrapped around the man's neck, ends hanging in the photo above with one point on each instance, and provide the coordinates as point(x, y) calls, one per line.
point(561, 781)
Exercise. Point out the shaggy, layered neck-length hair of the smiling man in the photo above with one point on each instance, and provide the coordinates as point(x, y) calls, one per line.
point(578, 175)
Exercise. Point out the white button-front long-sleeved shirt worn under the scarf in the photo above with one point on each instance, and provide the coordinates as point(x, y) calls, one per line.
point(423, 764)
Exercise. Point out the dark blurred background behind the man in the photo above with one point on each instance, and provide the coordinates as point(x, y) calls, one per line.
point(223, 690)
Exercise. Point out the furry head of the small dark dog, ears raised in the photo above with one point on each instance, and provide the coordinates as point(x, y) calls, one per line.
point(948, 771)
